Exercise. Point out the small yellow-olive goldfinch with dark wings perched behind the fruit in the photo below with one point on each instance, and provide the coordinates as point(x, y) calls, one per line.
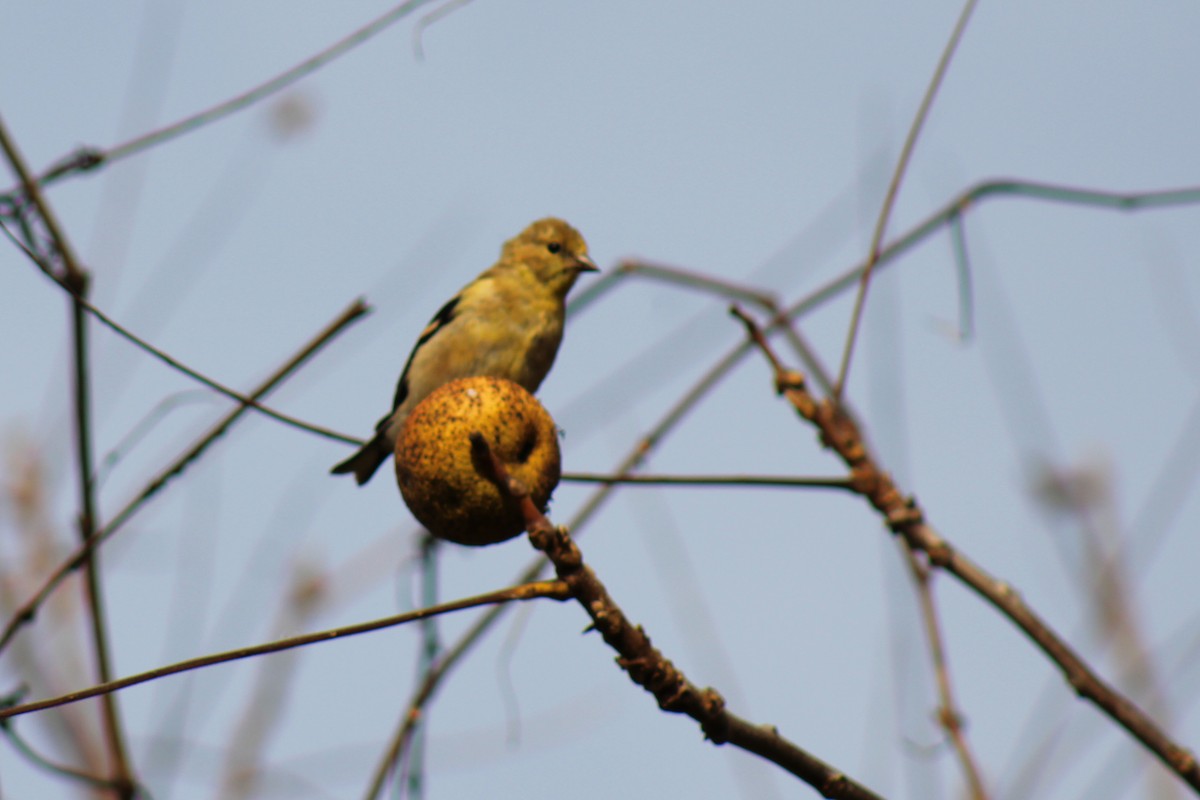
point(507, 323)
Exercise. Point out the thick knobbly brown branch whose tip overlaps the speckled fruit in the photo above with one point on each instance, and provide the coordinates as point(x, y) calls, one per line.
point(647, 666)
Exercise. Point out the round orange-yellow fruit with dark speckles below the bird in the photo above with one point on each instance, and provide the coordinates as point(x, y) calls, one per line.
point(446, 490)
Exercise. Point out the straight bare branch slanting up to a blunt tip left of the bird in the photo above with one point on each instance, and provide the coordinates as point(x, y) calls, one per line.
point(25, 615)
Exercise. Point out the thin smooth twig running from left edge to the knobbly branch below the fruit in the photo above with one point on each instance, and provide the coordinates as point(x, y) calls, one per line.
point(553, 590)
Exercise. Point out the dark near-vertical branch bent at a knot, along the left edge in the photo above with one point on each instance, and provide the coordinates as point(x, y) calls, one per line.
point(77, 281)
